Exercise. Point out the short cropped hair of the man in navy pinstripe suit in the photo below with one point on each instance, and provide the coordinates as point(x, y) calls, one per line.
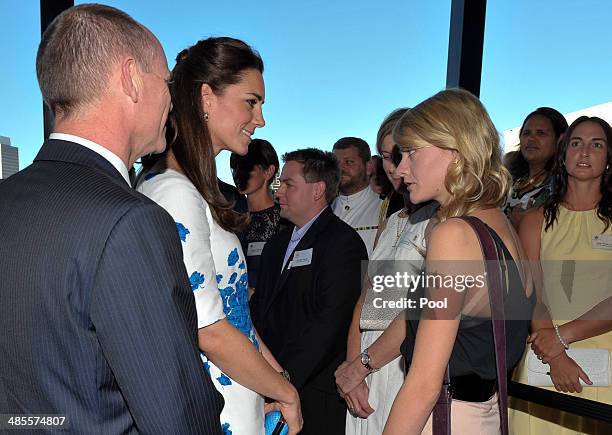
point(76, 53)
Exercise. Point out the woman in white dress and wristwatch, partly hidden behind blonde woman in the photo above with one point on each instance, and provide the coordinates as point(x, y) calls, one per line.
point(400, 245)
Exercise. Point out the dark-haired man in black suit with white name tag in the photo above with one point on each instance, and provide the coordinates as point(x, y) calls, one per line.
point(308, 283)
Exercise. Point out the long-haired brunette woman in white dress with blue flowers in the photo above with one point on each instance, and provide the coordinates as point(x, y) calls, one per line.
point(217, 92)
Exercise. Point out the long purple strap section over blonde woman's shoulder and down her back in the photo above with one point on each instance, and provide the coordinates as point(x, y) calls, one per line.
point(496, 300)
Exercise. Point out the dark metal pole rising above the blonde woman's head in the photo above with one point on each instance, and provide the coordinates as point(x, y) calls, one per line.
point(465, 44)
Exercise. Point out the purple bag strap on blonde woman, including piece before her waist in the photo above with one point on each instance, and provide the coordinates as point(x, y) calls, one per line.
point(442, 410)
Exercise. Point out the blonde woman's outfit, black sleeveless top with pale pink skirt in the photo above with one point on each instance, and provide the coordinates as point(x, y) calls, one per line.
point(473, 351)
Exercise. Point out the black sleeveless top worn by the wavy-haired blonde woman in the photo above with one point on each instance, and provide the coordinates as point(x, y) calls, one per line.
point(473, 351)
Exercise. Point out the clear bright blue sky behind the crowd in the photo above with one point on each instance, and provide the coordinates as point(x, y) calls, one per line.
point(335, 69)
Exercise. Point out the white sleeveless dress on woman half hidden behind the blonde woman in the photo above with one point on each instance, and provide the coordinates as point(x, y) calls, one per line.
point(402, 239)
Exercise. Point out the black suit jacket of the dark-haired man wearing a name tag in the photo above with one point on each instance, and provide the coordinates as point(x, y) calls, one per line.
point(303, 314)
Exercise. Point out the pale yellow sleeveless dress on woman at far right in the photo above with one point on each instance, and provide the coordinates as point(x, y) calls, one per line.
point(577, 276)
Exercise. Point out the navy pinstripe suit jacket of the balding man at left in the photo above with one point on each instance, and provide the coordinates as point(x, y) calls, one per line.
point(98, 320)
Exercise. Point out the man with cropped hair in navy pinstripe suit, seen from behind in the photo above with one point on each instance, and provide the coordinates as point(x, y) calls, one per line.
point(97, 314)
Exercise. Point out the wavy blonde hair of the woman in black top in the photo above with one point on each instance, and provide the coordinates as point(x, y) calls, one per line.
point(456, 120)
